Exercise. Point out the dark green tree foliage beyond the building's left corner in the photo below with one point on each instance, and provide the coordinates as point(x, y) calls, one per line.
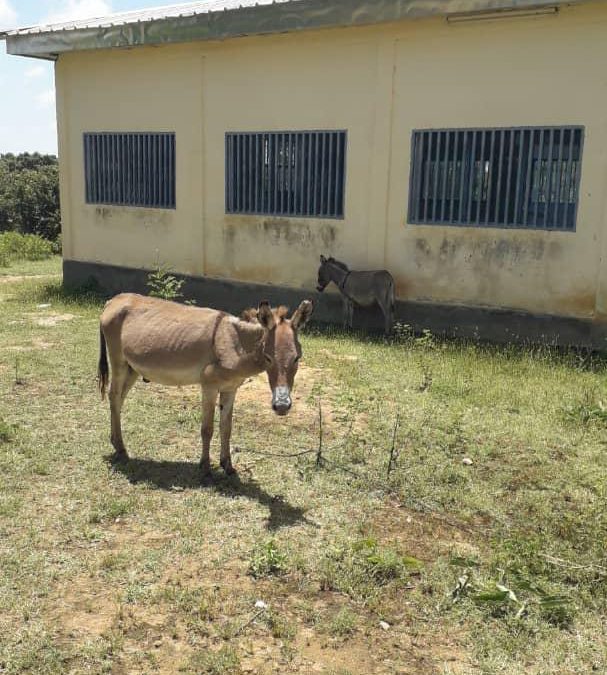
point(29, 194)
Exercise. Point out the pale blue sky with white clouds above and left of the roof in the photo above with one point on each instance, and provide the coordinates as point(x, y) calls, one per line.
point(27, 108)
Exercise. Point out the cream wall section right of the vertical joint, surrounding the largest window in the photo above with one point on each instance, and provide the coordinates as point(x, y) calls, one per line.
point(516, 73)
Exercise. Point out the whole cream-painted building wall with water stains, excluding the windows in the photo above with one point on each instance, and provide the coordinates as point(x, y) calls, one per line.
point(379, 83)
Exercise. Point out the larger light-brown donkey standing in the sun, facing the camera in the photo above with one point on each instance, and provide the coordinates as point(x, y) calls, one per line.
point(175, 344)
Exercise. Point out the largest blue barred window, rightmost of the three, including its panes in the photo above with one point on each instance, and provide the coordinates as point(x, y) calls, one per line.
point(524, 177)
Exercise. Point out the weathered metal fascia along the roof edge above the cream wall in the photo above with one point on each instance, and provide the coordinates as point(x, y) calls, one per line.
point(282, 17)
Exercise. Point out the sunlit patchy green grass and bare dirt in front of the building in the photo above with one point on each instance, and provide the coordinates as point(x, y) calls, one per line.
point(497, 566)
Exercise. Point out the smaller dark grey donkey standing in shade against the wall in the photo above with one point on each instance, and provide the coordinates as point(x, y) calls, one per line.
point(359, 288)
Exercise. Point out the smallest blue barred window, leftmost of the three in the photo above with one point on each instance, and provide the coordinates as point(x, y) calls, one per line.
point(130, 169)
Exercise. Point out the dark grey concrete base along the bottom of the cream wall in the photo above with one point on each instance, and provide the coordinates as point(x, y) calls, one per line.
point(494, 325)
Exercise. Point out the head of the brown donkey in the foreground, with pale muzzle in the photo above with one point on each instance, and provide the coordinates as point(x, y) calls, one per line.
point(282, 350)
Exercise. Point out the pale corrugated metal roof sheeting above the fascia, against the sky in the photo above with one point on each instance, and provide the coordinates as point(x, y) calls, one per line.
point(152, 14)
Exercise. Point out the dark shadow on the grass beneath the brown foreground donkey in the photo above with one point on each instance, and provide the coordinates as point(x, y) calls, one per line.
point(169, 475)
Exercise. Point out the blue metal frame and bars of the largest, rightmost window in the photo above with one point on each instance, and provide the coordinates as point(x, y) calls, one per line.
point(417, 210)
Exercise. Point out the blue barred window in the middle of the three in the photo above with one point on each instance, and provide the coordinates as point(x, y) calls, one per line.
point(290, 173)
